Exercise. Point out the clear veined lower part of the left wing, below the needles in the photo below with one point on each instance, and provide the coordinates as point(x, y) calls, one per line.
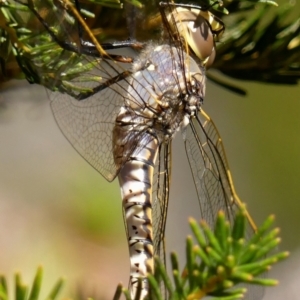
point(88, 125)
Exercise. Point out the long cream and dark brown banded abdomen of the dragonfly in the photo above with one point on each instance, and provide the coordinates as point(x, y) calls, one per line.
point(136, 180)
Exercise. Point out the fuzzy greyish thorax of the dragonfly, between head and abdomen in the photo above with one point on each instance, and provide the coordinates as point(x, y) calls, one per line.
point(165, 90)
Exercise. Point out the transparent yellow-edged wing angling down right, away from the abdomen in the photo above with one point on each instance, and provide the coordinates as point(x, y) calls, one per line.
point(212, 178)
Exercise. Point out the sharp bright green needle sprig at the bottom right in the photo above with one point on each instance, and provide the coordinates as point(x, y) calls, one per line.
point(215, 273)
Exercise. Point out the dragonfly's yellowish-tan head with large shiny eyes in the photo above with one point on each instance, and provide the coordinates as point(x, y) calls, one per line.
point(200, 29)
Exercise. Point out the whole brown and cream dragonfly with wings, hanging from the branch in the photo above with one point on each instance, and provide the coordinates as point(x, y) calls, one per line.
point(121, 114)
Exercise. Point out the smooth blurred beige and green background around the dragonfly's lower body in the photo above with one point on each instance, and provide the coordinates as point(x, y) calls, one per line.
point(57, 211)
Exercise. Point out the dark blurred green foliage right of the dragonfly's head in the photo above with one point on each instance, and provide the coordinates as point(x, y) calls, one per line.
point(262, 45)
